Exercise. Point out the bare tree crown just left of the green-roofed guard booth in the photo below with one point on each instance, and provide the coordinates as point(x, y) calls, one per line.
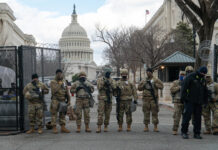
point(152, 45)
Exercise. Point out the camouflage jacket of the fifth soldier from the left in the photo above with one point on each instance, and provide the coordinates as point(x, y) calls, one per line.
point(128, 90)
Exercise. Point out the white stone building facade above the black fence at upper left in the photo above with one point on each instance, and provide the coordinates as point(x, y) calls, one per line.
point(10, 34)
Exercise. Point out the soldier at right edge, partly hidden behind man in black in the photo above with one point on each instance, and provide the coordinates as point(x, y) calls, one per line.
point(211, 106)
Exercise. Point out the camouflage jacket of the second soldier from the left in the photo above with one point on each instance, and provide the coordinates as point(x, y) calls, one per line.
point(59, 90)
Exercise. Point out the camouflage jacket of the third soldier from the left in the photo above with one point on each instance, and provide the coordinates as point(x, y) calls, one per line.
point(81, 93)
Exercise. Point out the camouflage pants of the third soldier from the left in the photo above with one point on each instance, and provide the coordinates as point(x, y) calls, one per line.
point(82, 105)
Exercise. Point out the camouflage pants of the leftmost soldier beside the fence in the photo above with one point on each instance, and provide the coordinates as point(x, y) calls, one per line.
point(35, 112)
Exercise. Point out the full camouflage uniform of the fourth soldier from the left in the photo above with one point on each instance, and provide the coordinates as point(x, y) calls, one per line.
point(104, 107)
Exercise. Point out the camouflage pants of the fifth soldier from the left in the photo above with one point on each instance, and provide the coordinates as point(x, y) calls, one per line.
point(125, 108)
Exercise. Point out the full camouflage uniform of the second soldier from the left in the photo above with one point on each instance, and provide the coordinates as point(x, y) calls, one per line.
point(59, 93)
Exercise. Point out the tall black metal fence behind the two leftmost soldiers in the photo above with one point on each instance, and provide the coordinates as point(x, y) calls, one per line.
point(22, 62)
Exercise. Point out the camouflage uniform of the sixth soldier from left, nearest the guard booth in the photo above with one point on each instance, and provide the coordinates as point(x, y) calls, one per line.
point(149, 104)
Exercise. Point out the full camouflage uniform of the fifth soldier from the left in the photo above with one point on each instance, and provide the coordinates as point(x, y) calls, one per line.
point(128, 92)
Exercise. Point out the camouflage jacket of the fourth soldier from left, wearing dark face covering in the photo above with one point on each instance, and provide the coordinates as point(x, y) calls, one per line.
point(102, 88)
